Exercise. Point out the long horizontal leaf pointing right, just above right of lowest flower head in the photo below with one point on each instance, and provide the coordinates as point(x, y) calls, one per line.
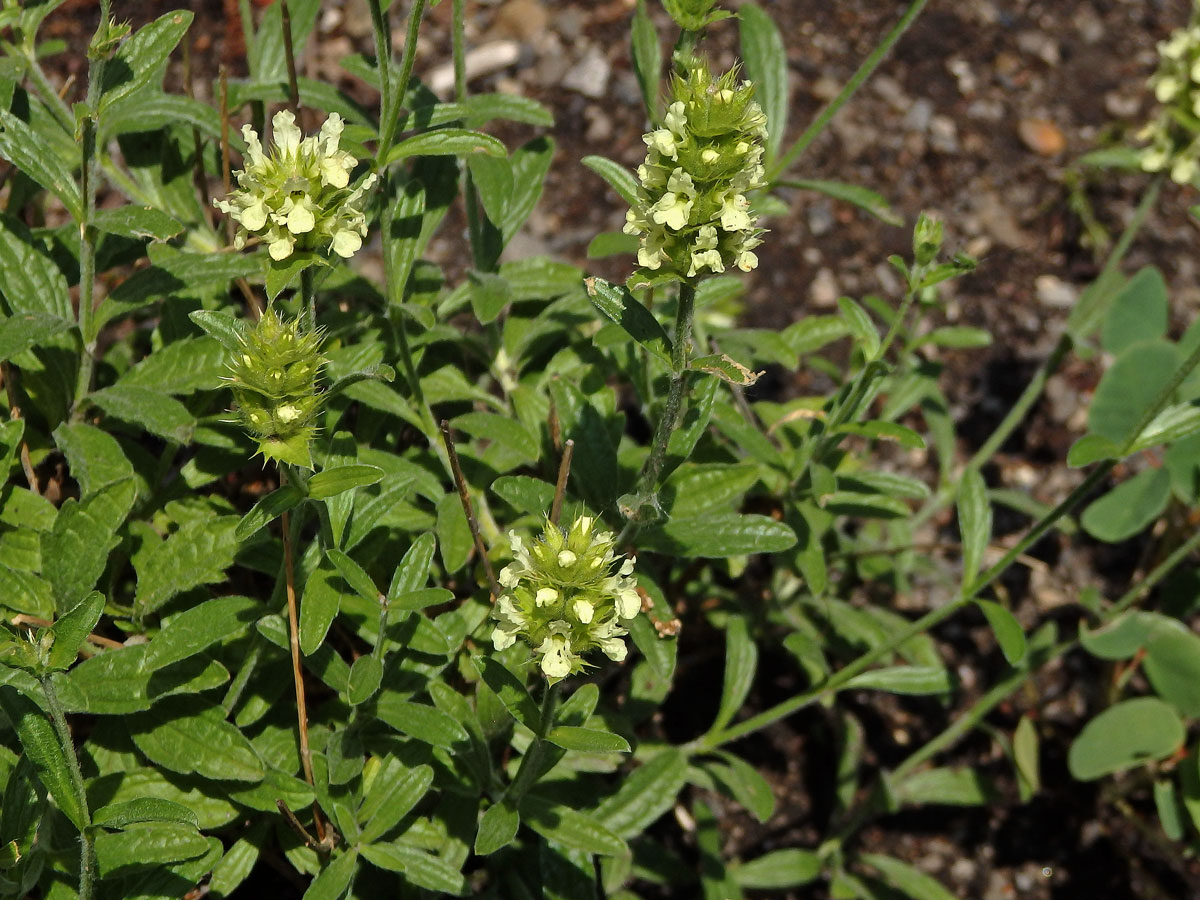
point(718, 536)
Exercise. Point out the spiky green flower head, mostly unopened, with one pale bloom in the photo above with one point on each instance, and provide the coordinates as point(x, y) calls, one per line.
point(274, 381)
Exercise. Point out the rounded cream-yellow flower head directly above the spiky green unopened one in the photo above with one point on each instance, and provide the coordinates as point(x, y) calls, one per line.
point(298, 196)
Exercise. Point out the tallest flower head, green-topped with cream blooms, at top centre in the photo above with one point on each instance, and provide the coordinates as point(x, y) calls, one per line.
point(692, 213)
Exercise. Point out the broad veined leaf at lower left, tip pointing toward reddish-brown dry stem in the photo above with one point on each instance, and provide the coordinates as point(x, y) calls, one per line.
point(193, 737)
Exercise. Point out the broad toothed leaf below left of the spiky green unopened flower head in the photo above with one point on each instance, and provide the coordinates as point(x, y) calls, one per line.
point(199, 554)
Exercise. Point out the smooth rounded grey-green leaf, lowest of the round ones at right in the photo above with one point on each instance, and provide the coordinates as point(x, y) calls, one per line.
point(1130, 734)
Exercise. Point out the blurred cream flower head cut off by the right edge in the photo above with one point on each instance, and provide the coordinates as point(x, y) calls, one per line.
point(1174, 135)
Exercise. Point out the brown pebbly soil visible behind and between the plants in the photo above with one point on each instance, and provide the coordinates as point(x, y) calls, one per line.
point(977, 117)
